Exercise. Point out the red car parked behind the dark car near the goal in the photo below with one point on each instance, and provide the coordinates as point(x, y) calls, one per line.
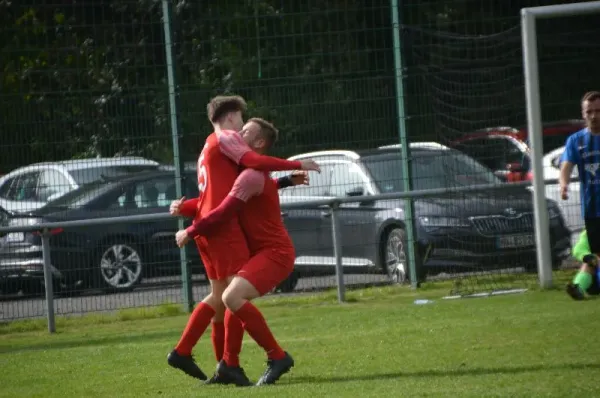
point(505, 150)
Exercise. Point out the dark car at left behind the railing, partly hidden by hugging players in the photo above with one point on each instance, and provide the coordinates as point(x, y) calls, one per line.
point(114, 257)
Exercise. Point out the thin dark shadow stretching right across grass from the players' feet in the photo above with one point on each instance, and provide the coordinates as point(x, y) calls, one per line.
point(463, 371)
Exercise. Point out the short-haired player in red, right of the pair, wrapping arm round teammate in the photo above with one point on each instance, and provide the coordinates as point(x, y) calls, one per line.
point(255, 201)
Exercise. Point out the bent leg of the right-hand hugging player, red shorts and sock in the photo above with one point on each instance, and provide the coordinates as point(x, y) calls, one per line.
point(256, 278)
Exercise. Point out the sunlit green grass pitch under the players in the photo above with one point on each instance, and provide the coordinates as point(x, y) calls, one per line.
point(537, 344)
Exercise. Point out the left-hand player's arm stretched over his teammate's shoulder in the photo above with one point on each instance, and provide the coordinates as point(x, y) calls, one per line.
point(235, 148)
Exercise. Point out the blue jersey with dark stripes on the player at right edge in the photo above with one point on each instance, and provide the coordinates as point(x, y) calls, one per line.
point(583, 149)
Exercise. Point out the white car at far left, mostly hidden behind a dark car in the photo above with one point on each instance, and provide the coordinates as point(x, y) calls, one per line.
point(31, 187)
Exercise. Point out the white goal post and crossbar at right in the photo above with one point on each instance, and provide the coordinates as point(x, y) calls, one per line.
point(529, 16)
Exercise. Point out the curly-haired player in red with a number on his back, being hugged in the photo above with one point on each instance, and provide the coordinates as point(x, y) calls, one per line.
point(224, 252)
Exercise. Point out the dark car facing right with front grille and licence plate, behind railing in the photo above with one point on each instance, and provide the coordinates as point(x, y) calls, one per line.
point(454, 231)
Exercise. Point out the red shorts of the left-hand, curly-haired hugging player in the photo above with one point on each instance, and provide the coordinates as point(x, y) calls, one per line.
point(222, 261)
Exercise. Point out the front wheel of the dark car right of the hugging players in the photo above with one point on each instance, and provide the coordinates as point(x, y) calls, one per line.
point(395, 259)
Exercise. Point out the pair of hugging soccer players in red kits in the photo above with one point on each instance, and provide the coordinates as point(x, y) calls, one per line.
point(244, 245)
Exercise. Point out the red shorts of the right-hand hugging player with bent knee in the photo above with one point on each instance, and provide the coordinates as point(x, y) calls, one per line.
point(268, 268)
